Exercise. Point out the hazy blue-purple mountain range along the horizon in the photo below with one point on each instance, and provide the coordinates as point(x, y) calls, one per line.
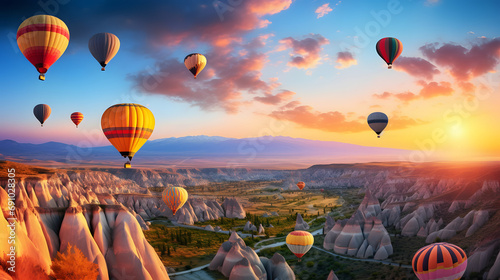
point(205, 151)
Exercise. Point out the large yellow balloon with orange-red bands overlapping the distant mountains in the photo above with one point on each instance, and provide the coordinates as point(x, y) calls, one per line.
point(127, 126)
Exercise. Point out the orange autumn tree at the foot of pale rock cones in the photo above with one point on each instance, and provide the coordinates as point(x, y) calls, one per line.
point(73, 265)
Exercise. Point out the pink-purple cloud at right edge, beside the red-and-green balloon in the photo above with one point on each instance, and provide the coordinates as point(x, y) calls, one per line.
point(465, 64)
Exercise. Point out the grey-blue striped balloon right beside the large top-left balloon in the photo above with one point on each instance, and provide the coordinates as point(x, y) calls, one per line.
point(104, 46)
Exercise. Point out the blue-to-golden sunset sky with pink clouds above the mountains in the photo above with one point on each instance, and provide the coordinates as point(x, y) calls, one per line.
point(304, 69)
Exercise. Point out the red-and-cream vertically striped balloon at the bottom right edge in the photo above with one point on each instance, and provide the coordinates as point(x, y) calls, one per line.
point(439, 261)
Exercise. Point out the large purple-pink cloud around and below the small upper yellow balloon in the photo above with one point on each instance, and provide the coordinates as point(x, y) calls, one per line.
point(221, 85)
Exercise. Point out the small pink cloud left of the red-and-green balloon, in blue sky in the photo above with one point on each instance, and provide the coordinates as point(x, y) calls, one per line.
point(305, 52)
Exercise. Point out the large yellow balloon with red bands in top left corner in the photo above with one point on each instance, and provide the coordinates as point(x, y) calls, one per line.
point(42, 39)
